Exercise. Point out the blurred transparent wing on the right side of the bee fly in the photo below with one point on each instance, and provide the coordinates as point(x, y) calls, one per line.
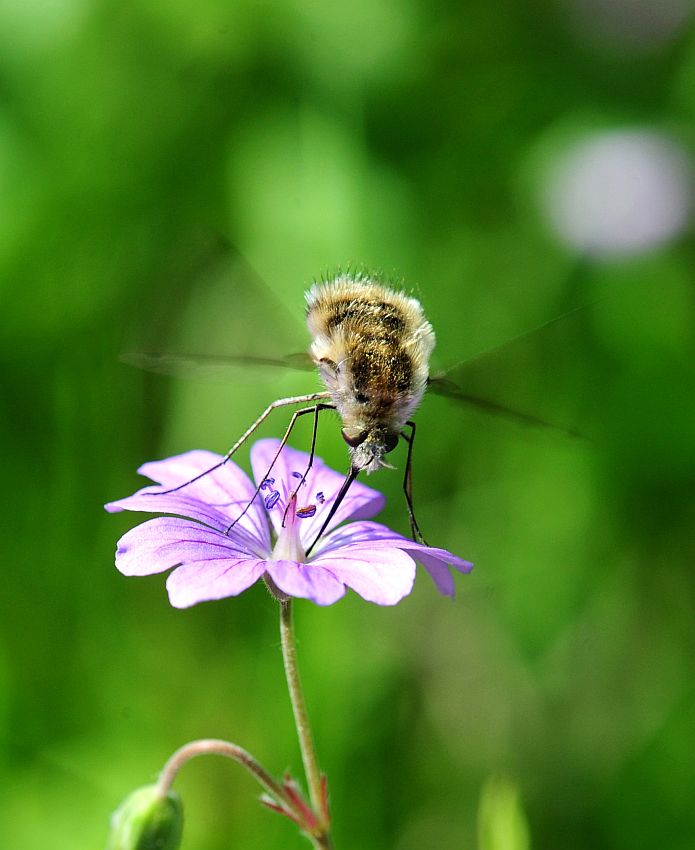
point(563, 373)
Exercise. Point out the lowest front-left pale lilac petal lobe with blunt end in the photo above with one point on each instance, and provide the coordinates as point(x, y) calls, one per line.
point(213, 579)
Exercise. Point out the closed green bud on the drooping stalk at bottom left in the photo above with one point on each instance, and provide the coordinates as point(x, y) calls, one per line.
point(147, 820)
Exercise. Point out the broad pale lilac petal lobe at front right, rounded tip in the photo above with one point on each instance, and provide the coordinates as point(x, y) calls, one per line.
point(384, 577)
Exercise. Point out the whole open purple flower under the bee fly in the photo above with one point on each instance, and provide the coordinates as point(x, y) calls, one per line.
point(213, 562)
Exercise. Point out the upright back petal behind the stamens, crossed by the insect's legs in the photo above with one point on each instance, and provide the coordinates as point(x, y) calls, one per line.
point(361, 502)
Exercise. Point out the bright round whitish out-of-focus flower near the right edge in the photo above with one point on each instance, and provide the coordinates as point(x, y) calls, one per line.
point(620, 192)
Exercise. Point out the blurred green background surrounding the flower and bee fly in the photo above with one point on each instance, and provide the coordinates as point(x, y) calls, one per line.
point(161, 164)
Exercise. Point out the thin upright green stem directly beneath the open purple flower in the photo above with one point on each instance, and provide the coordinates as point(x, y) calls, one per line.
point(301, 719)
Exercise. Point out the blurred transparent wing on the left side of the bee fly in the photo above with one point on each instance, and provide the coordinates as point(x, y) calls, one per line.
point(215, 319)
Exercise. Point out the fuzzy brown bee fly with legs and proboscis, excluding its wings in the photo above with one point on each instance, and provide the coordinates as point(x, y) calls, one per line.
point(371, 345)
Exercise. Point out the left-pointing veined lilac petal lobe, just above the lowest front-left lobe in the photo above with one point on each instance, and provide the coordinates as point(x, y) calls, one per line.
point(164, 542)
